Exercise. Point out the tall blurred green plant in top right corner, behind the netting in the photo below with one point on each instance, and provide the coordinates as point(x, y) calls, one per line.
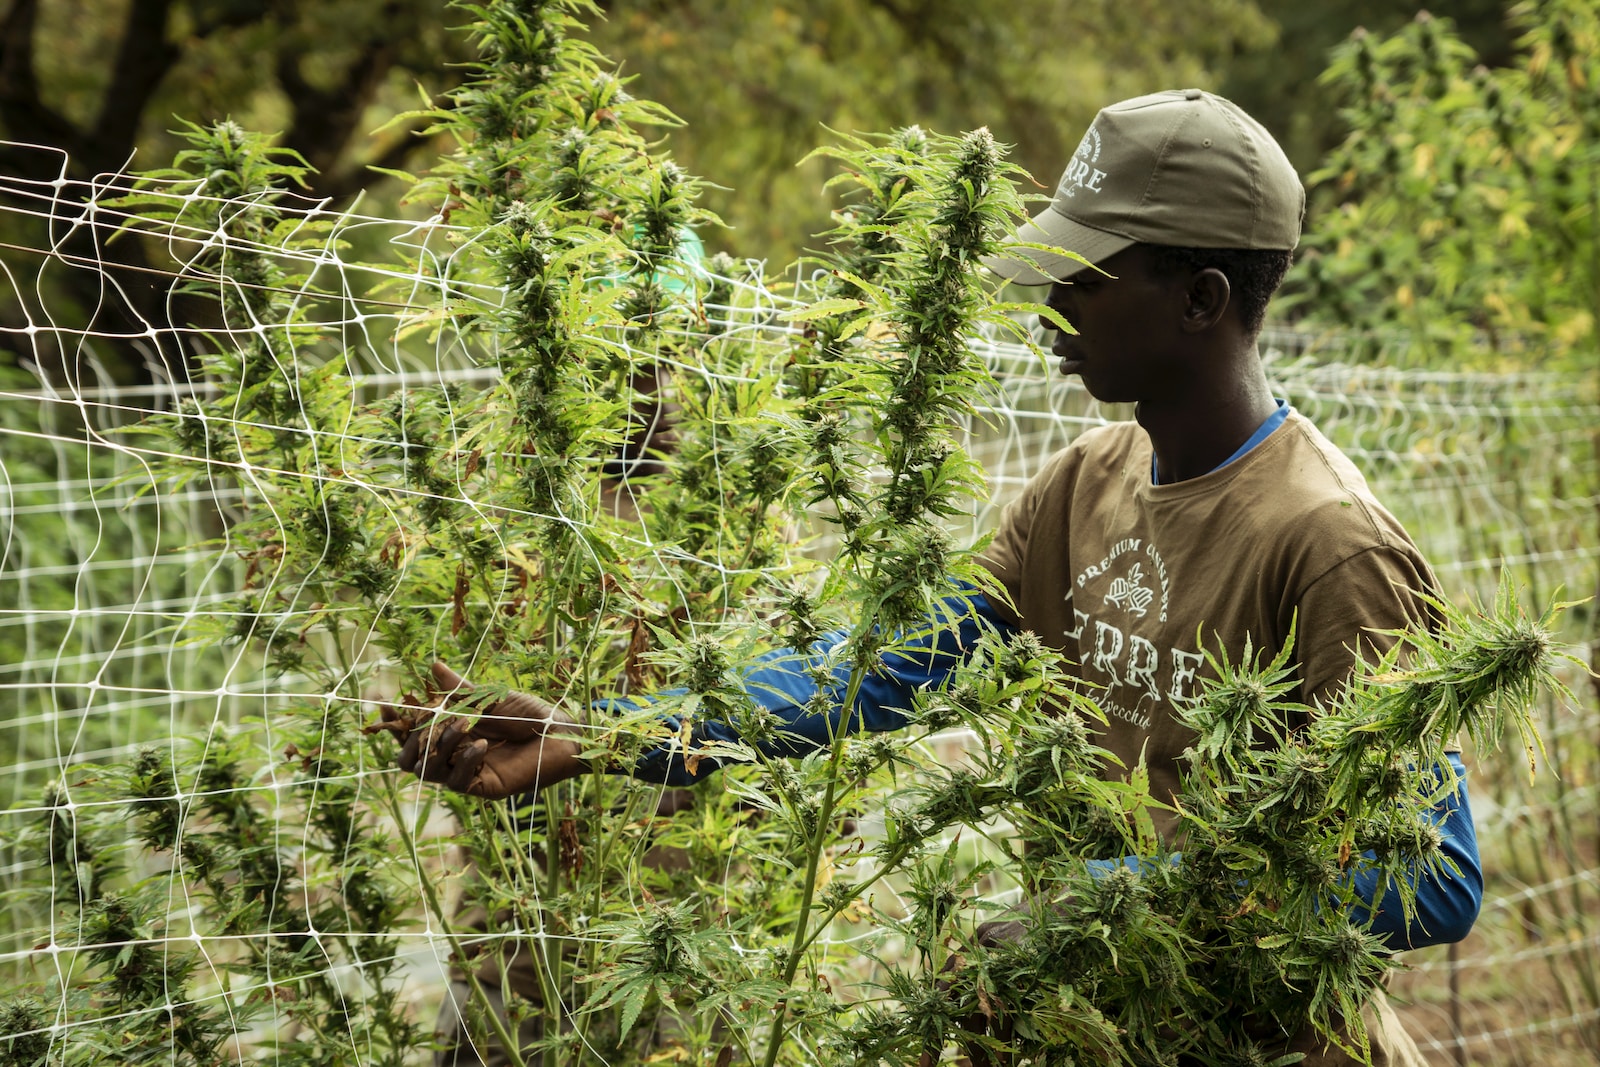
point(1462, 209)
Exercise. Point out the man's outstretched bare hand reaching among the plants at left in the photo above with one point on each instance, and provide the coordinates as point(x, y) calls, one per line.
point(516, 745)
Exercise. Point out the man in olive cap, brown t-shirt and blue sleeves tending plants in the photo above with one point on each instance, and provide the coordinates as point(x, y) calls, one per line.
point(1218, 516)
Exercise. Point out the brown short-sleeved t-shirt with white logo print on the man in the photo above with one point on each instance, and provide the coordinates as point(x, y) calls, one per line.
point(1138, 581)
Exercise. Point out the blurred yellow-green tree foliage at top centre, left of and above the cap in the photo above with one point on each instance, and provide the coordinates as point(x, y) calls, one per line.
point(759, 82)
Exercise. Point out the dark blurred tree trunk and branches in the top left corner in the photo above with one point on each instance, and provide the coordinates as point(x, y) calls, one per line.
point(103, 81)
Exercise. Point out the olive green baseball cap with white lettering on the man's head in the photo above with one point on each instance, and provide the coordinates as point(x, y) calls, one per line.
point(1180, 167)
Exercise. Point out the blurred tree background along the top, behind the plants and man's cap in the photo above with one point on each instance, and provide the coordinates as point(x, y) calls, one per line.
point(754, 81)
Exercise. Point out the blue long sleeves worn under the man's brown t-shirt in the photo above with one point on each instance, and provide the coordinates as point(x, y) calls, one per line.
point(786, 684)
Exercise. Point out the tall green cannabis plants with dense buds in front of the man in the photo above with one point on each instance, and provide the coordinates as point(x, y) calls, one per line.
point(623, 508)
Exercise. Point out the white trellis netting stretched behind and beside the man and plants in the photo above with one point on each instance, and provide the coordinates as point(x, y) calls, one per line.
point(102, 567)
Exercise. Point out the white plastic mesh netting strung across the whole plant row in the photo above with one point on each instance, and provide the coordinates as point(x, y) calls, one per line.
point(119, 585)
